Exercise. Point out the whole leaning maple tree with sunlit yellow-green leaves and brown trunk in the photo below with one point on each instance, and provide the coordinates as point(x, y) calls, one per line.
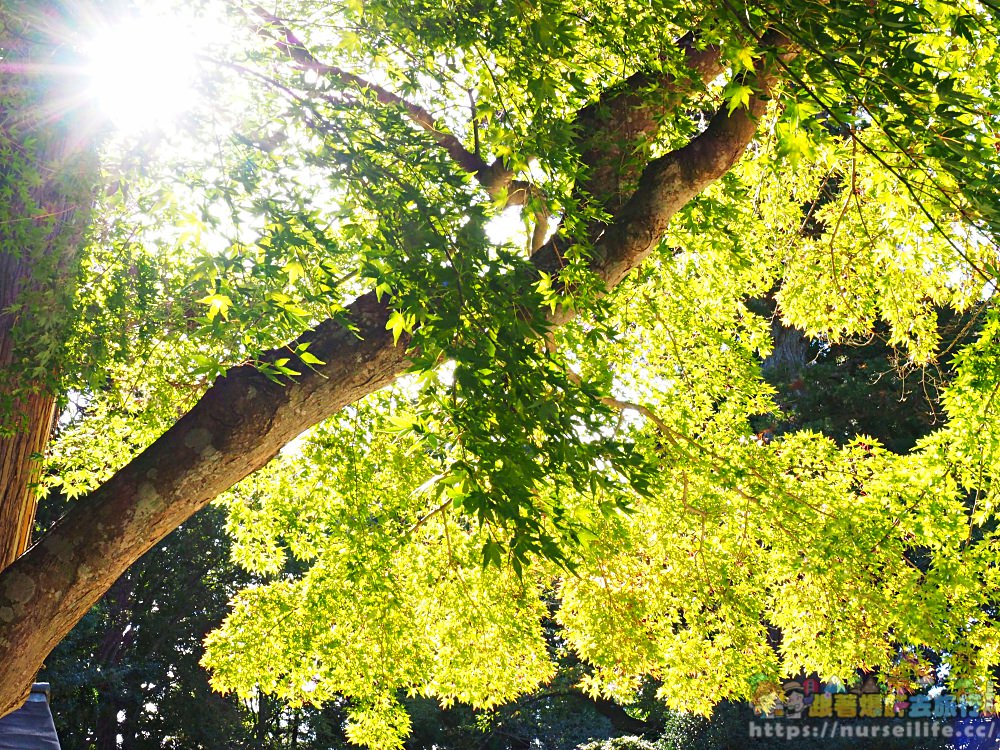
point(580, 399)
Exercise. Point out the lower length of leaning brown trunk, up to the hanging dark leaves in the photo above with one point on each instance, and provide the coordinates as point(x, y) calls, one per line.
point(241, 423)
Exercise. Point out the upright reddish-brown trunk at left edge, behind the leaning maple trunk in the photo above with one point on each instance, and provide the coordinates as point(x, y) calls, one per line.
point(47, 175)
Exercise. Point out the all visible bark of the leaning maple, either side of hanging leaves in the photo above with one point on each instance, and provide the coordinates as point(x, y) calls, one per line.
point(244, 419)
